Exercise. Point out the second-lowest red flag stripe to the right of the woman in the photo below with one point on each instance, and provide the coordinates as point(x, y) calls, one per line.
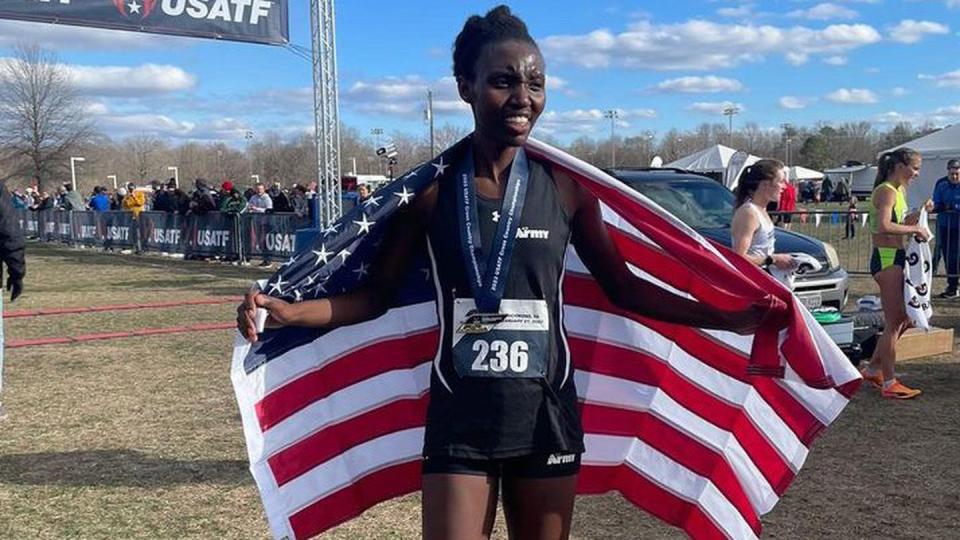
point(678, 446)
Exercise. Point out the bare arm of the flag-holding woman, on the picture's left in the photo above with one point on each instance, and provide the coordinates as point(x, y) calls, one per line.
point(405, 231)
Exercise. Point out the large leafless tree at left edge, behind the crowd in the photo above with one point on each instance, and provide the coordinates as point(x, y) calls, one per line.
point(42, 118)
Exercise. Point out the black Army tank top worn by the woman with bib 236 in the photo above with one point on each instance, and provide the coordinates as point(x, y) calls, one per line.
point(484, 417)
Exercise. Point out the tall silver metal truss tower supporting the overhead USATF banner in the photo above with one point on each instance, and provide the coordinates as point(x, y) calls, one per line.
point(326, 108)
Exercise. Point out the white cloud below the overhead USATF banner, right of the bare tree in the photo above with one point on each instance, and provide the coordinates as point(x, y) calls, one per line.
point(129, 81)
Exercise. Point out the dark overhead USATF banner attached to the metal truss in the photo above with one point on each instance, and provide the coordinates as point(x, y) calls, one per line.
point(258, 21)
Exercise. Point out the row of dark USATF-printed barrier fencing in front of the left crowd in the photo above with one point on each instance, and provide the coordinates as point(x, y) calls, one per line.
point(208, 235)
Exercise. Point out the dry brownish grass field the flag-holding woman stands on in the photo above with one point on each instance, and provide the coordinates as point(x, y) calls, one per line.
point(140, 437)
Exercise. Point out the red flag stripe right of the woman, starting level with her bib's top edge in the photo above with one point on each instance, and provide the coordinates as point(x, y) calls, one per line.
point(585, 292)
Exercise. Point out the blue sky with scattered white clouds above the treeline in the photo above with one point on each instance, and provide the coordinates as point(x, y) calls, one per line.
point(661, 64)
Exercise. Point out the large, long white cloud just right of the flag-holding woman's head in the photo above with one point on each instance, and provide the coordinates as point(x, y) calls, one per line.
point(701, 45)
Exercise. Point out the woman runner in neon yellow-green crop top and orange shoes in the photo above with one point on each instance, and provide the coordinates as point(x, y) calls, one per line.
point(891, 226)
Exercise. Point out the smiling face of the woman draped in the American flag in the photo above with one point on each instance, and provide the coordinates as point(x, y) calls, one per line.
point(508, 92)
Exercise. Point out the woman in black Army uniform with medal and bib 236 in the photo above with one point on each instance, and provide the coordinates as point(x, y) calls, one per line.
point(503, 412)
